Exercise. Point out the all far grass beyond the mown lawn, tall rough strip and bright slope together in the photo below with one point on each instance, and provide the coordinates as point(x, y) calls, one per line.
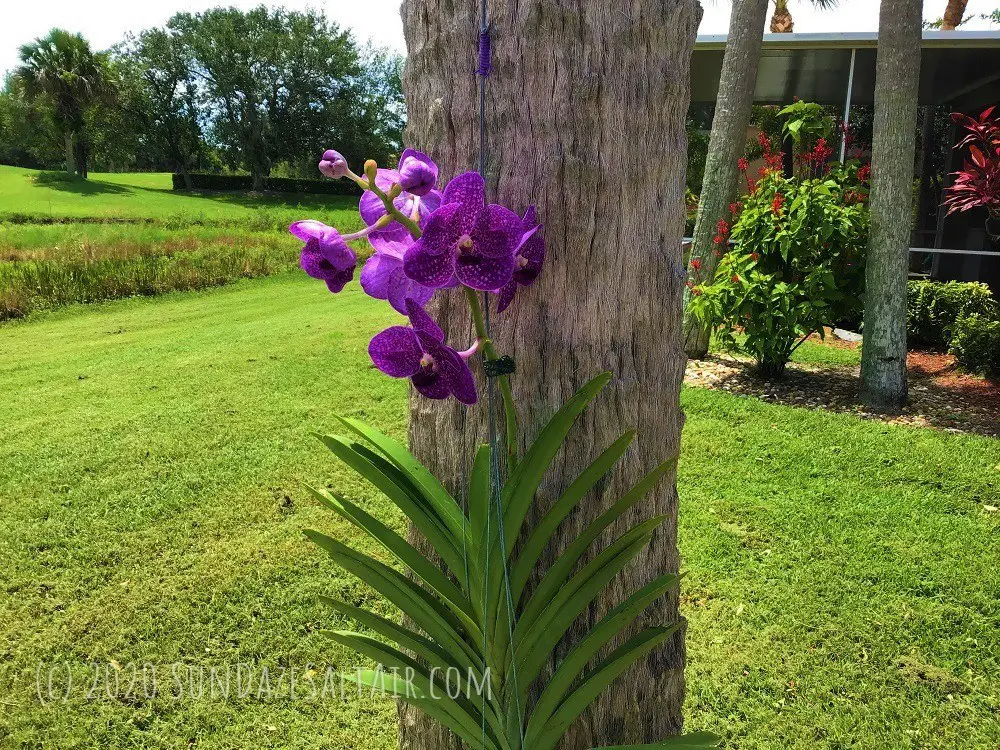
point(153, 240)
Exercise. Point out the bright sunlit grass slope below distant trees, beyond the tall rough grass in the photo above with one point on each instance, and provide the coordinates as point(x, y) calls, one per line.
point(148, 196)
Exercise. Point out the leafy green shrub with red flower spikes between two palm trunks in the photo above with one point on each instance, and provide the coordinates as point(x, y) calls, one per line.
point(797, 266)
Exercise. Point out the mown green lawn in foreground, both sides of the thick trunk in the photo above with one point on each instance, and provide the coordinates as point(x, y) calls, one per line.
point(843, 587)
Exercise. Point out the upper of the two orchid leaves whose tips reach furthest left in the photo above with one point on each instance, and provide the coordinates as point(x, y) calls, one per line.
point(406, 553)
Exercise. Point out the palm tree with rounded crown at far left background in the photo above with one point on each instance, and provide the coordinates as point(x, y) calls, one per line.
point(61, 69)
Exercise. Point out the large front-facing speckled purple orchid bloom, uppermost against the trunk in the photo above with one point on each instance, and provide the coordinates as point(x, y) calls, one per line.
point(466, 239)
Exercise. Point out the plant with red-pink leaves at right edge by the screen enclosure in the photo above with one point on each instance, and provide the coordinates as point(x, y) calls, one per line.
point(978, 183)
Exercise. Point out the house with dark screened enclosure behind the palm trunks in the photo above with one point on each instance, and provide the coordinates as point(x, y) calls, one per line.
point(960, 72)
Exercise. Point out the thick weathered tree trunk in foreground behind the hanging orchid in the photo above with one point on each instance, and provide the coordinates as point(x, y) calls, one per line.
point(586, 108)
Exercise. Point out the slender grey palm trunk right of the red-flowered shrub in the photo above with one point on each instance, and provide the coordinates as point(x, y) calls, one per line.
point(897, 81)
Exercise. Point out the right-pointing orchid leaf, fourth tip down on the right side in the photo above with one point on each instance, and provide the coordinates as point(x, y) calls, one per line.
point(536, 643)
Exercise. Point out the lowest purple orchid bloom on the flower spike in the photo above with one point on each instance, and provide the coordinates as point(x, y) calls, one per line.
point(420, 354)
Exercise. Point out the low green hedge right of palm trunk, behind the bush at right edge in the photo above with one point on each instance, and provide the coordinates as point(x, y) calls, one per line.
point(933, 308)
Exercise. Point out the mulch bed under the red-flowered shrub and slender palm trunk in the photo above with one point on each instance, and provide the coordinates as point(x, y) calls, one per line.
point(941, 396)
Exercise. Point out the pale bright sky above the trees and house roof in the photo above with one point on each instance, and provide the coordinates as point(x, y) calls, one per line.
point(105, 22)
